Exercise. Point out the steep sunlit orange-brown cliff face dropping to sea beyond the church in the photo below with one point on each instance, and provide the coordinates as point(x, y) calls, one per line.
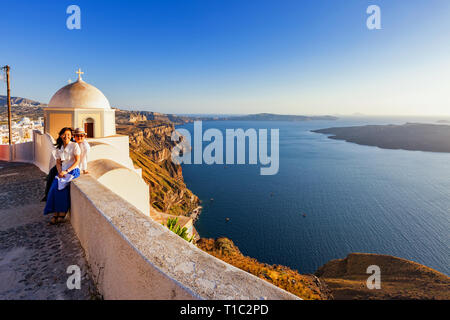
point(150, 149)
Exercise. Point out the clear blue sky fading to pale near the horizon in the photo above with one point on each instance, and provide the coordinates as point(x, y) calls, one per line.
point(236, 56)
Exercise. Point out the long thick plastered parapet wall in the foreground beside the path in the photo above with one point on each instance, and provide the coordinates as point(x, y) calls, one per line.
point(133, 257)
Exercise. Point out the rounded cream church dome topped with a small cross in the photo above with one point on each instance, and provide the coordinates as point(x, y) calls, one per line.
point(79, 95)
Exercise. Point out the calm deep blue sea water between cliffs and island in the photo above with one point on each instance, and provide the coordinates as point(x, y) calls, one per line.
point(356, 199)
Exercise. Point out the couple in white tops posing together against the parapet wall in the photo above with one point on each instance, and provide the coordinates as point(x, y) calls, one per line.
point(71, 157)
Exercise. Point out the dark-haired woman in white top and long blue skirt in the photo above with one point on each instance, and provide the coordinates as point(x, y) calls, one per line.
point(67, 161)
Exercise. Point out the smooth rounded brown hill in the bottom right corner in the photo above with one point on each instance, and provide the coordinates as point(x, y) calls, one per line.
point(400, 278)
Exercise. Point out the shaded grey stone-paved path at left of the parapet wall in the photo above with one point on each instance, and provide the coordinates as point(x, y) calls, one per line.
point(34, 256)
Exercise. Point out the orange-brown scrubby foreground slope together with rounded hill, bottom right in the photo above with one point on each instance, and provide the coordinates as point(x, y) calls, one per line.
point(342, 279)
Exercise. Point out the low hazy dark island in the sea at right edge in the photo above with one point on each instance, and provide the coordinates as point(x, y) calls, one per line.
point(409, 136)
